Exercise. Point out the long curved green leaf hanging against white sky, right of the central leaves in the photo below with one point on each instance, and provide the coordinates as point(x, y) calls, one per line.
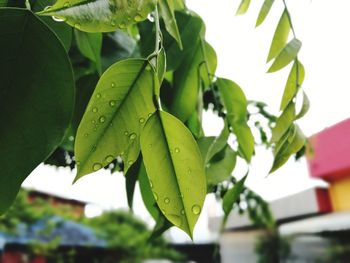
point(235, 103)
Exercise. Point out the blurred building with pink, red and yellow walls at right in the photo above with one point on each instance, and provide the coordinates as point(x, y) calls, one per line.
point(316, 221)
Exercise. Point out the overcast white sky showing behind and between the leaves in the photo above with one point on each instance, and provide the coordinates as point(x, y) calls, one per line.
point(321, 25)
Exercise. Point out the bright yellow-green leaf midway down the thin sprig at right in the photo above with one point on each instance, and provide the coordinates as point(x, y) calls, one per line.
point(291, 89)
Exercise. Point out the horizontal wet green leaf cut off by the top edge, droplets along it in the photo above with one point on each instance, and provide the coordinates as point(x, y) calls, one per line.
point(100, 15)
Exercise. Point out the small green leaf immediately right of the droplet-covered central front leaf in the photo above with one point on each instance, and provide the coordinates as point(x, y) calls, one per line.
point(221, 170)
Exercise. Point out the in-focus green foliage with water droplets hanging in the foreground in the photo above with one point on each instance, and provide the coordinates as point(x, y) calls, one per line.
point(142, 114)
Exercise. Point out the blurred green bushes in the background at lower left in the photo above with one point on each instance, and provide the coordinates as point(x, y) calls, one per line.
point(127, 237)
